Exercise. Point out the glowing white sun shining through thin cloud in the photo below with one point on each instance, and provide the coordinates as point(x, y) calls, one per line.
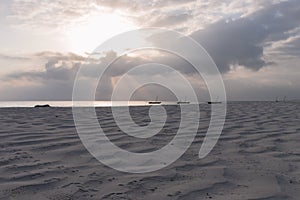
point(87, 36)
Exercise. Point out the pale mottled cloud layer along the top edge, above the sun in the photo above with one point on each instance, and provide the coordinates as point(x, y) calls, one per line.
point(56, 14)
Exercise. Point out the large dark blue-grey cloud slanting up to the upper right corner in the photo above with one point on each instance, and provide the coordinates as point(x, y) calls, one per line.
point(242, 41)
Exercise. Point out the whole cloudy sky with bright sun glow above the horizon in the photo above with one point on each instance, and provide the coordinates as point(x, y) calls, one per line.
point(255, 45)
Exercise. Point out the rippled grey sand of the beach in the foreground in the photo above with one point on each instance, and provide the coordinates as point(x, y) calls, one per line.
point(257, 157)
